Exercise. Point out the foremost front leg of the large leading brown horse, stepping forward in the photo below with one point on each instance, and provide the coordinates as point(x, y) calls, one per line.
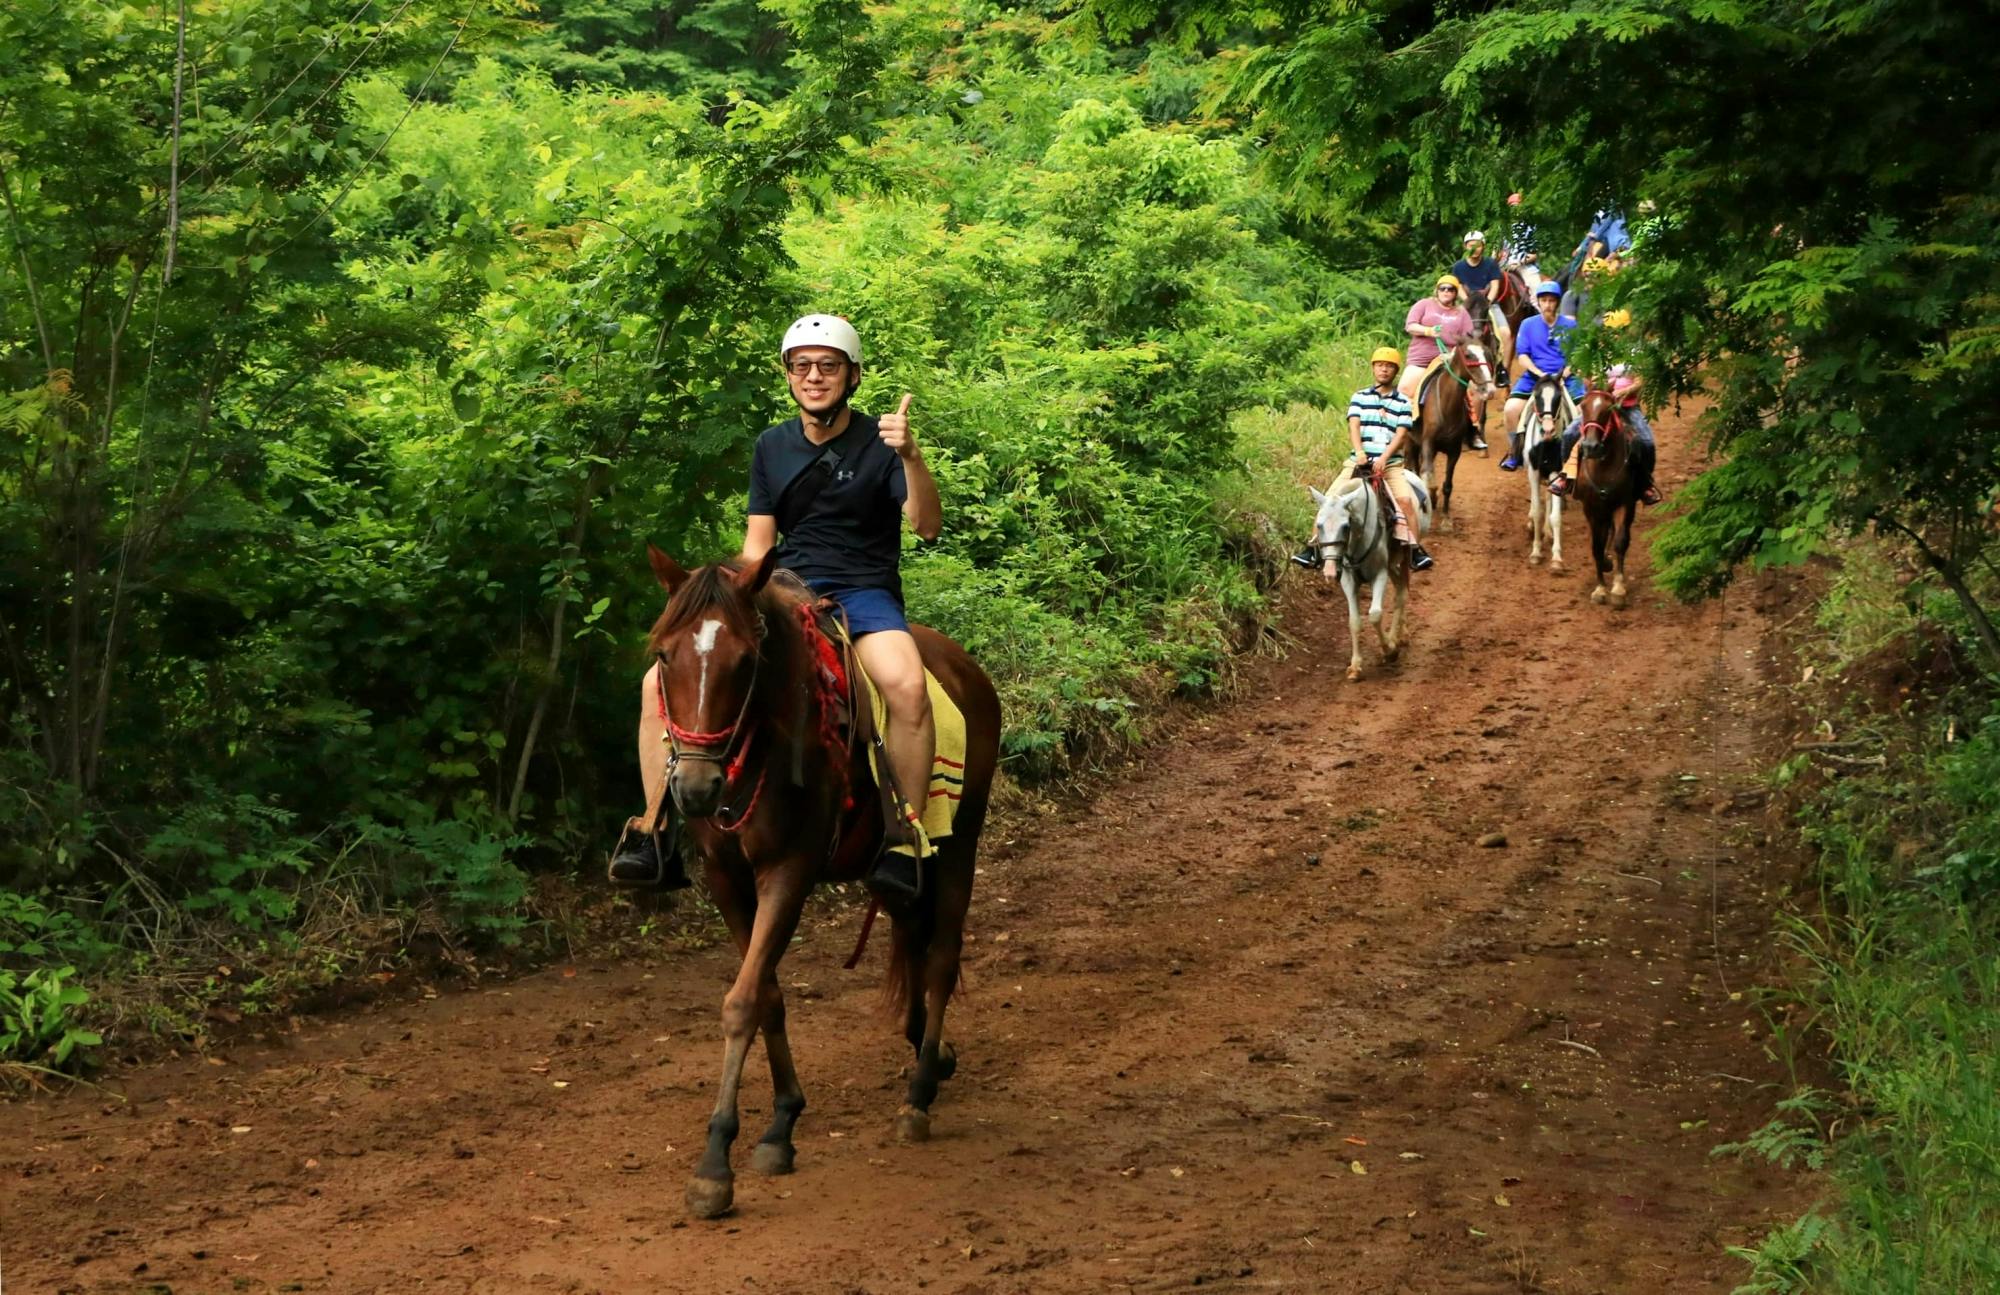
point(749, 1002)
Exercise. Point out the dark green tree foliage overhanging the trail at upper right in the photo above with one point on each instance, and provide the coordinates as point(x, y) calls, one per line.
point(1837, 295)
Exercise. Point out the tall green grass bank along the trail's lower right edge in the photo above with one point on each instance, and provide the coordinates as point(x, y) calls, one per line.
point(1901, 976)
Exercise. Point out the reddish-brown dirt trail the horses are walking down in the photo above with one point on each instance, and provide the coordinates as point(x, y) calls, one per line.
point(1261, 1018)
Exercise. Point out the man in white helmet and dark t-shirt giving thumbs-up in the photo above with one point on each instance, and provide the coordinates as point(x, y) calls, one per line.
point(829, 489)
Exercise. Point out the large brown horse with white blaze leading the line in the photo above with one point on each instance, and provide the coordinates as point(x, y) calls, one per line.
point(779, 798)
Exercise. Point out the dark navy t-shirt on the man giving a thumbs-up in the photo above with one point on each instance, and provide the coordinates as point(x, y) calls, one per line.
point(851, 537)
